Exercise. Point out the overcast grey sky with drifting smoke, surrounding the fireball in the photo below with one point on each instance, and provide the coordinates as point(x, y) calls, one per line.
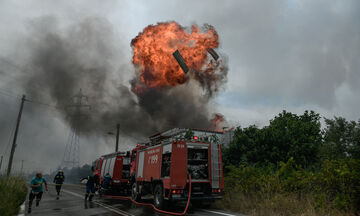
point(290, 54)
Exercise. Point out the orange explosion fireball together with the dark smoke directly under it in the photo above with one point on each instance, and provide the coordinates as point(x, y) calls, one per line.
point(159, 76)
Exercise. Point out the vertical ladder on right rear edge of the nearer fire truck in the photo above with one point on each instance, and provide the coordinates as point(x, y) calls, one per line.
point(216, 165)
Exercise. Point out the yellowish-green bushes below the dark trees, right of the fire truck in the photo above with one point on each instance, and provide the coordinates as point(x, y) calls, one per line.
point(333, 187)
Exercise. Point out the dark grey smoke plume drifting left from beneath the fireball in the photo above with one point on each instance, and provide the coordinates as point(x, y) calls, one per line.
point(85, 56)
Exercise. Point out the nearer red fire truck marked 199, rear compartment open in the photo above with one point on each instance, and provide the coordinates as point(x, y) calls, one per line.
point(162, 167)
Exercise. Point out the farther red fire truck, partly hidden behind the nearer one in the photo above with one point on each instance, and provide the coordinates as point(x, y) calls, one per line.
point(117, 164)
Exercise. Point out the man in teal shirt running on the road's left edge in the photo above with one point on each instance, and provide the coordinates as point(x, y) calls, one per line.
point(36, 189)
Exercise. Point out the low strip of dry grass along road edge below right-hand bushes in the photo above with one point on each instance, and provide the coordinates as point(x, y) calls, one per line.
point(278, 204)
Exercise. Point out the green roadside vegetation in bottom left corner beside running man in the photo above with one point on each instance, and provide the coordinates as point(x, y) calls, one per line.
point(13, 193)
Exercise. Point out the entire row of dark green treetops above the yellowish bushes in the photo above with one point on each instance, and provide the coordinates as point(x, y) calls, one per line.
point(300, 137)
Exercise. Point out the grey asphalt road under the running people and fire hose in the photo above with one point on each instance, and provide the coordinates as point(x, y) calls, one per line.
point(71, 202)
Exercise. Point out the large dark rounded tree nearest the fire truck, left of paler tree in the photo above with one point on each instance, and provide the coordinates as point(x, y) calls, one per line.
point(287, 136)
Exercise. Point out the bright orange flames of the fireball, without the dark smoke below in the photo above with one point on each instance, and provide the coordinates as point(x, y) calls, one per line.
point(153, 49)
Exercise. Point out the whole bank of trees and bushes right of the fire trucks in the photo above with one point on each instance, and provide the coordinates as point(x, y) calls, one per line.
point(294, 166)
